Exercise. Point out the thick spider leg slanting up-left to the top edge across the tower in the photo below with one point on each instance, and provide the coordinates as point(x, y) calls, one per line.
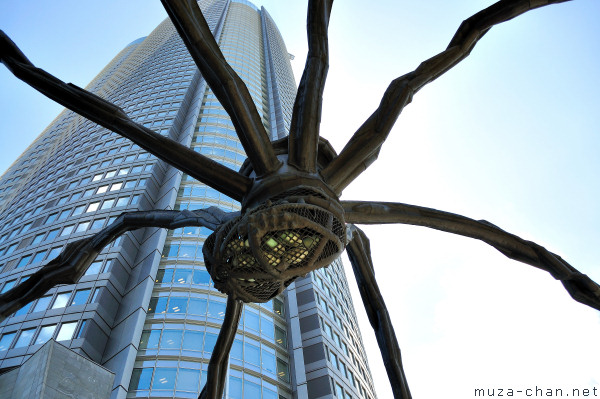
point(224, 82)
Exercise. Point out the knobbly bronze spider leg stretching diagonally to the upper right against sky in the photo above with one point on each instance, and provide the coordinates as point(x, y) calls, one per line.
point(364, 146)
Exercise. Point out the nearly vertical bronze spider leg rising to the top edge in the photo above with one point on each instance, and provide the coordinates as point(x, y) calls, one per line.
point(306, 116)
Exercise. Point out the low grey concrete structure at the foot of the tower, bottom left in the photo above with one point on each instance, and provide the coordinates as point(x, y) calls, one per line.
point(56, 372)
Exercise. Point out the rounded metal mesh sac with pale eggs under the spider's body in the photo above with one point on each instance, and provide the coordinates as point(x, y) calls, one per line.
point(256, 256)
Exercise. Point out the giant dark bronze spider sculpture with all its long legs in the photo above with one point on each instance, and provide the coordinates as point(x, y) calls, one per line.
point(292, 220)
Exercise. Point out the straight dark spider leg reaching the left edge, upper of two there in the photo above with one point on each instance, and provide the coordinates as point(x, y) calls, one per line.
point(114, 118)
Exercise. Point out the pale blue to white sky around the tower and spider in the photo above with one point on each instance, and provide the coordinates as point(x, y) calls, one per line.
point(511, 135)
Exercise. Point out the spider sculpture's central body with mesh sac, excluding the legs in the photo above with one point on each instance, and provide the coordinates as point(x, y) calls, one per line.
point(291, 223)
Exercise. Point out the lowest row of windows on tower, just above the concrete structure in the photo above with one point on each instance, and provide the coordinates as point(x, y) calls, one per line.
point(37, 336)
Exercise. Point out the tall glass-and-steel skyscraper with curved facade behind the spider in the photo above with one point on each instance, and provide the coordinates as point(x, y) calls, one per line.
point(146, 309)
